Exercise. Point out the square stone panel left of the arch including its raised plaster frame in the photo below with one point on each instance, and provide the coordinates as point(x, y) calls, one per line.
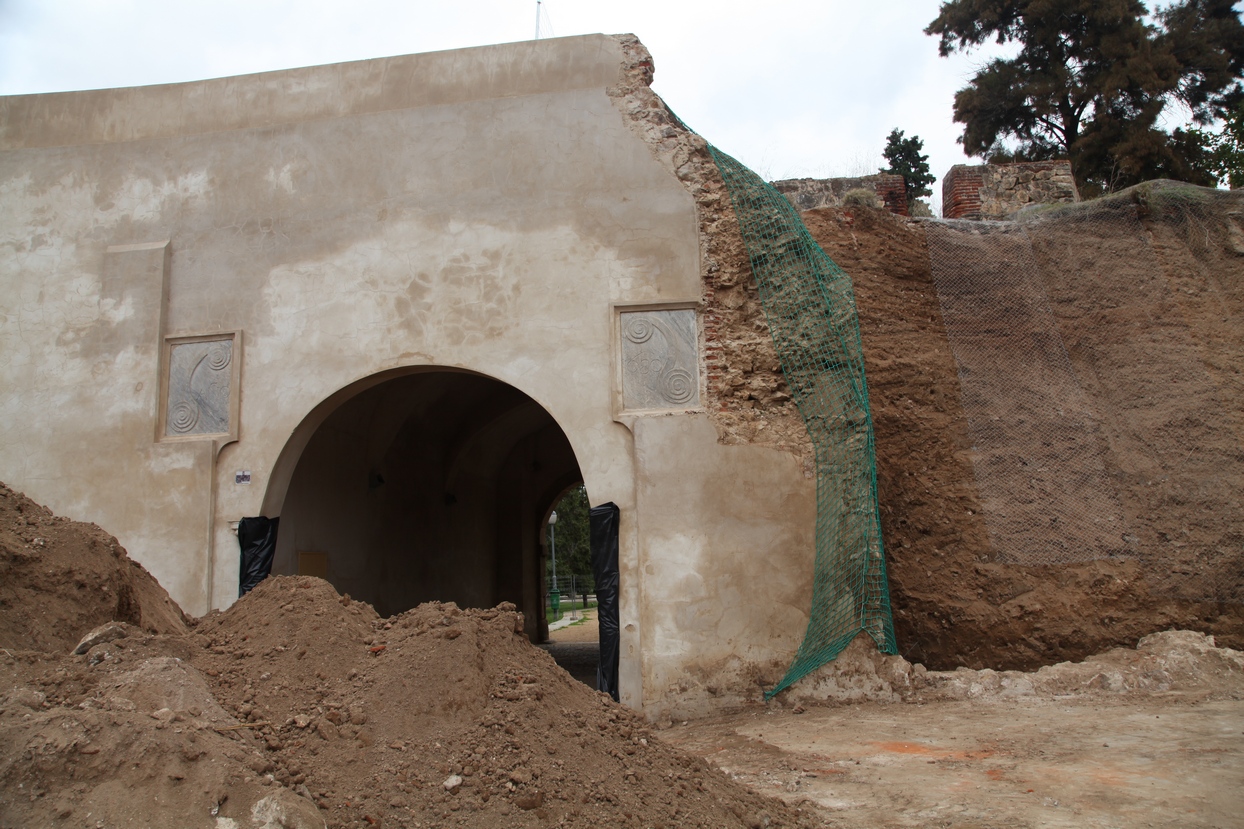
point(183, 373)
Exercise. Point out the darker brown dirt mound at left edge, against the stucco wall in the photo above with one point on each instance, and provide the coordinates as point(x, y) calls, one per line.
point(59, 579)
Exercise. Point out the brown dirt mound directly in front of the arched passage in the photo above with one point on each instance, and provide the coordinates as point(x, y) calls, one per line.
point(447, 718)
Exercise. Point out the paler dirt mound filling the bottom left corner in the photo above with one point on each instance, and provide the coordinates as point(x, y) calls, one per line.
point(124, 742)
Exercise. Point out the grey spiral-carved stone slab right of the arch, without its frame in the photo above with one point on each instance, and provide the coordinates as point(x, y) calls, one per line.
point(660, 360)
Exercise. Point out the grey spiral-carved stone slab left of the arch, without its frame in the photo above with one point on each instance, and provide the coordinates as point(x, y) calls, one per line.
point(200, 385)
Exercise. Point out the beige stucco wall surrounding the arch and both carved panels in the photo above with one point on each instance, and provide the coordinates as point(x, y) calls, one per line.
point(482, 210)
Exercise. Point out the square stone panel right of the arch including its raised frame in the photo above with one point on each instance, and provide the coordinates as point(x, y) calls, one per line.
point(645, 330)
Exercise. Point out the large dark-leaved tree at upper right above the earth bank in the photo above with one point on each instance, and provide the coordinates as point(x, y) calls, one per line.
point(1092, 80)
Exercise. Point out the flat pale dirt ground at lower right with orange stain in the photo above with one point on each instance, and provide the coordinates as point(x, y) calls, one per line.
point(1053, 764)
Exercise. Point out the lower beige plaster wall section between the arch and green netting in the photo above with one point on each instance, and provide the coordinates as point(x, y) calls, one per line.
point(727, 558)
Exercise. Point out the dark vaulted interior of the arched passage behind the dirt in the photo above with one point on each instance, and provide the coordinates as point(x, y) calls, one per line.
point(430, 486)
